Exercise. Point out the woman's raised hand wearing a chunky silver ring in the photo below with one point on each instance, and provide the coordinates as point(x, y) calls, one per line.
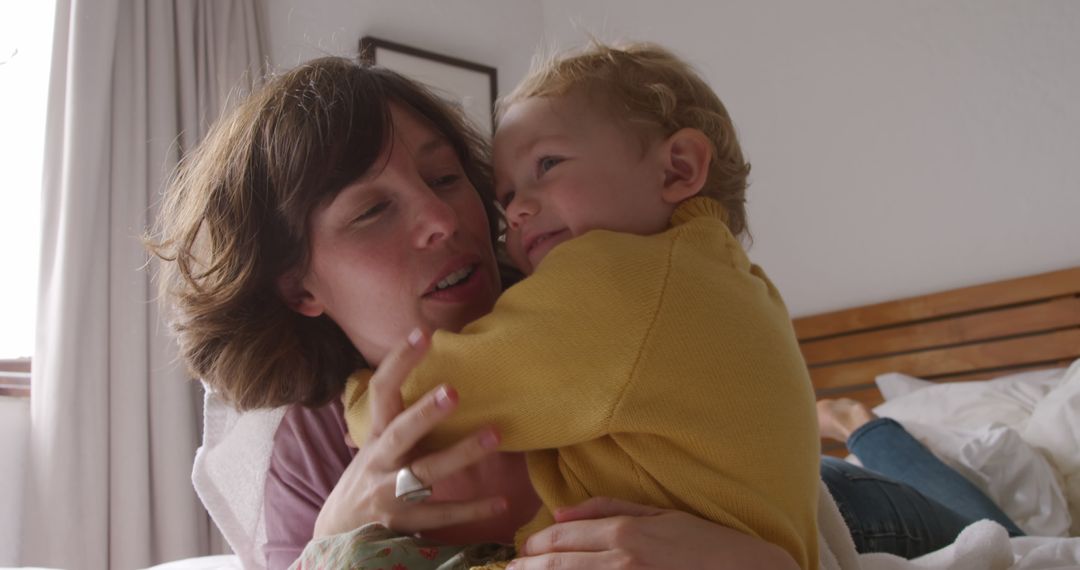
point(366, 493)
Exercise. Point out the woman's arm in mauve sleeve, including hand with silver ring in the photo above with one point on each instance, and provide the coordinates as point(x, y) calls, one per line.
point(318, 486)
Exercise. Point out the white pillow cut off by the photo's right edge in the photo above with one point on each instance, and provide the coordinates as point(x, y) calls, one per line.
point(1055, 428)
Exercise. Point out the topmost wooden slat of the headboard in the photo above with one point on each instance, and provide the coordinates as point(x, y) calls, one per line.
point(980, 297)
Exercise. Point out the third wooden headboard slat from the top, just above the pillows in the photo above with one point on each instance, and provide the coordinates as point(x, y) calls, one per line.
point(1057, 346)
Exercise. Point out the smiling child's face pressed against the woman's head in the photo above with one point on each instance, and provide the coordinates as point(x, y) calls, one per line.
point(562, 169)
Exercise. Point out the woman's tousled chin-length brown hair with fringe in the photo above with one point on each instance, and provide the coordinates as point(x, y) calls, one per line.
point(236, 218)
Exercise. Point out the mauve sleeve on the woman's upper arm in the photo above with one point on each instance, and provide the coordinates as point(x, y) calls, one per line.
point(309, 456)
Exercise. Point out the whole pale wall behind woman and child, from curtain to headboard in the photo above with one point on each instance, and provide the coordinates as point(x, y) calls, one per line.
point(899, 147)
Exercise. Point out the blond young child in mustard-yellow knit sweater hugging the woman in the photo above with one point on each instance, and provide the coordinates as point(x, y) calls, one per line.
point(644, 358)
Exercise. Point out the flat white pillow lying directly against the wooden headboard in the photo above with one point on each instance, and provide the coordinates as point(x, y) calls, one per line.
point(1008, 400)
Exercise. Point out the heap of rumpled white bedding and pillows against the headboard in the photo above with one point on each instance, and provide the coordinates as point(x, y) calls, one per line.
point(1017, 438)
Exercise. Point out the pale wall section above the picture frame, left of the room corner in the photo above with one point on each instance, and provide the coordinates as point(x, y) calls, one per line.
point(494, 33)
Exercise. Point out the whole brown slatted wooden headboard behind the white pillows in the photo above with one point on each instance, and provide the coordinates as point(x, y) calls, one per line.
point(968, 334)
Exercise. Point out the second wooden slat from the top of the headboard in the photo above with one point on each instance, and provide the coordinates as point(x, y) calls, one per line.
point(1048, 316)
